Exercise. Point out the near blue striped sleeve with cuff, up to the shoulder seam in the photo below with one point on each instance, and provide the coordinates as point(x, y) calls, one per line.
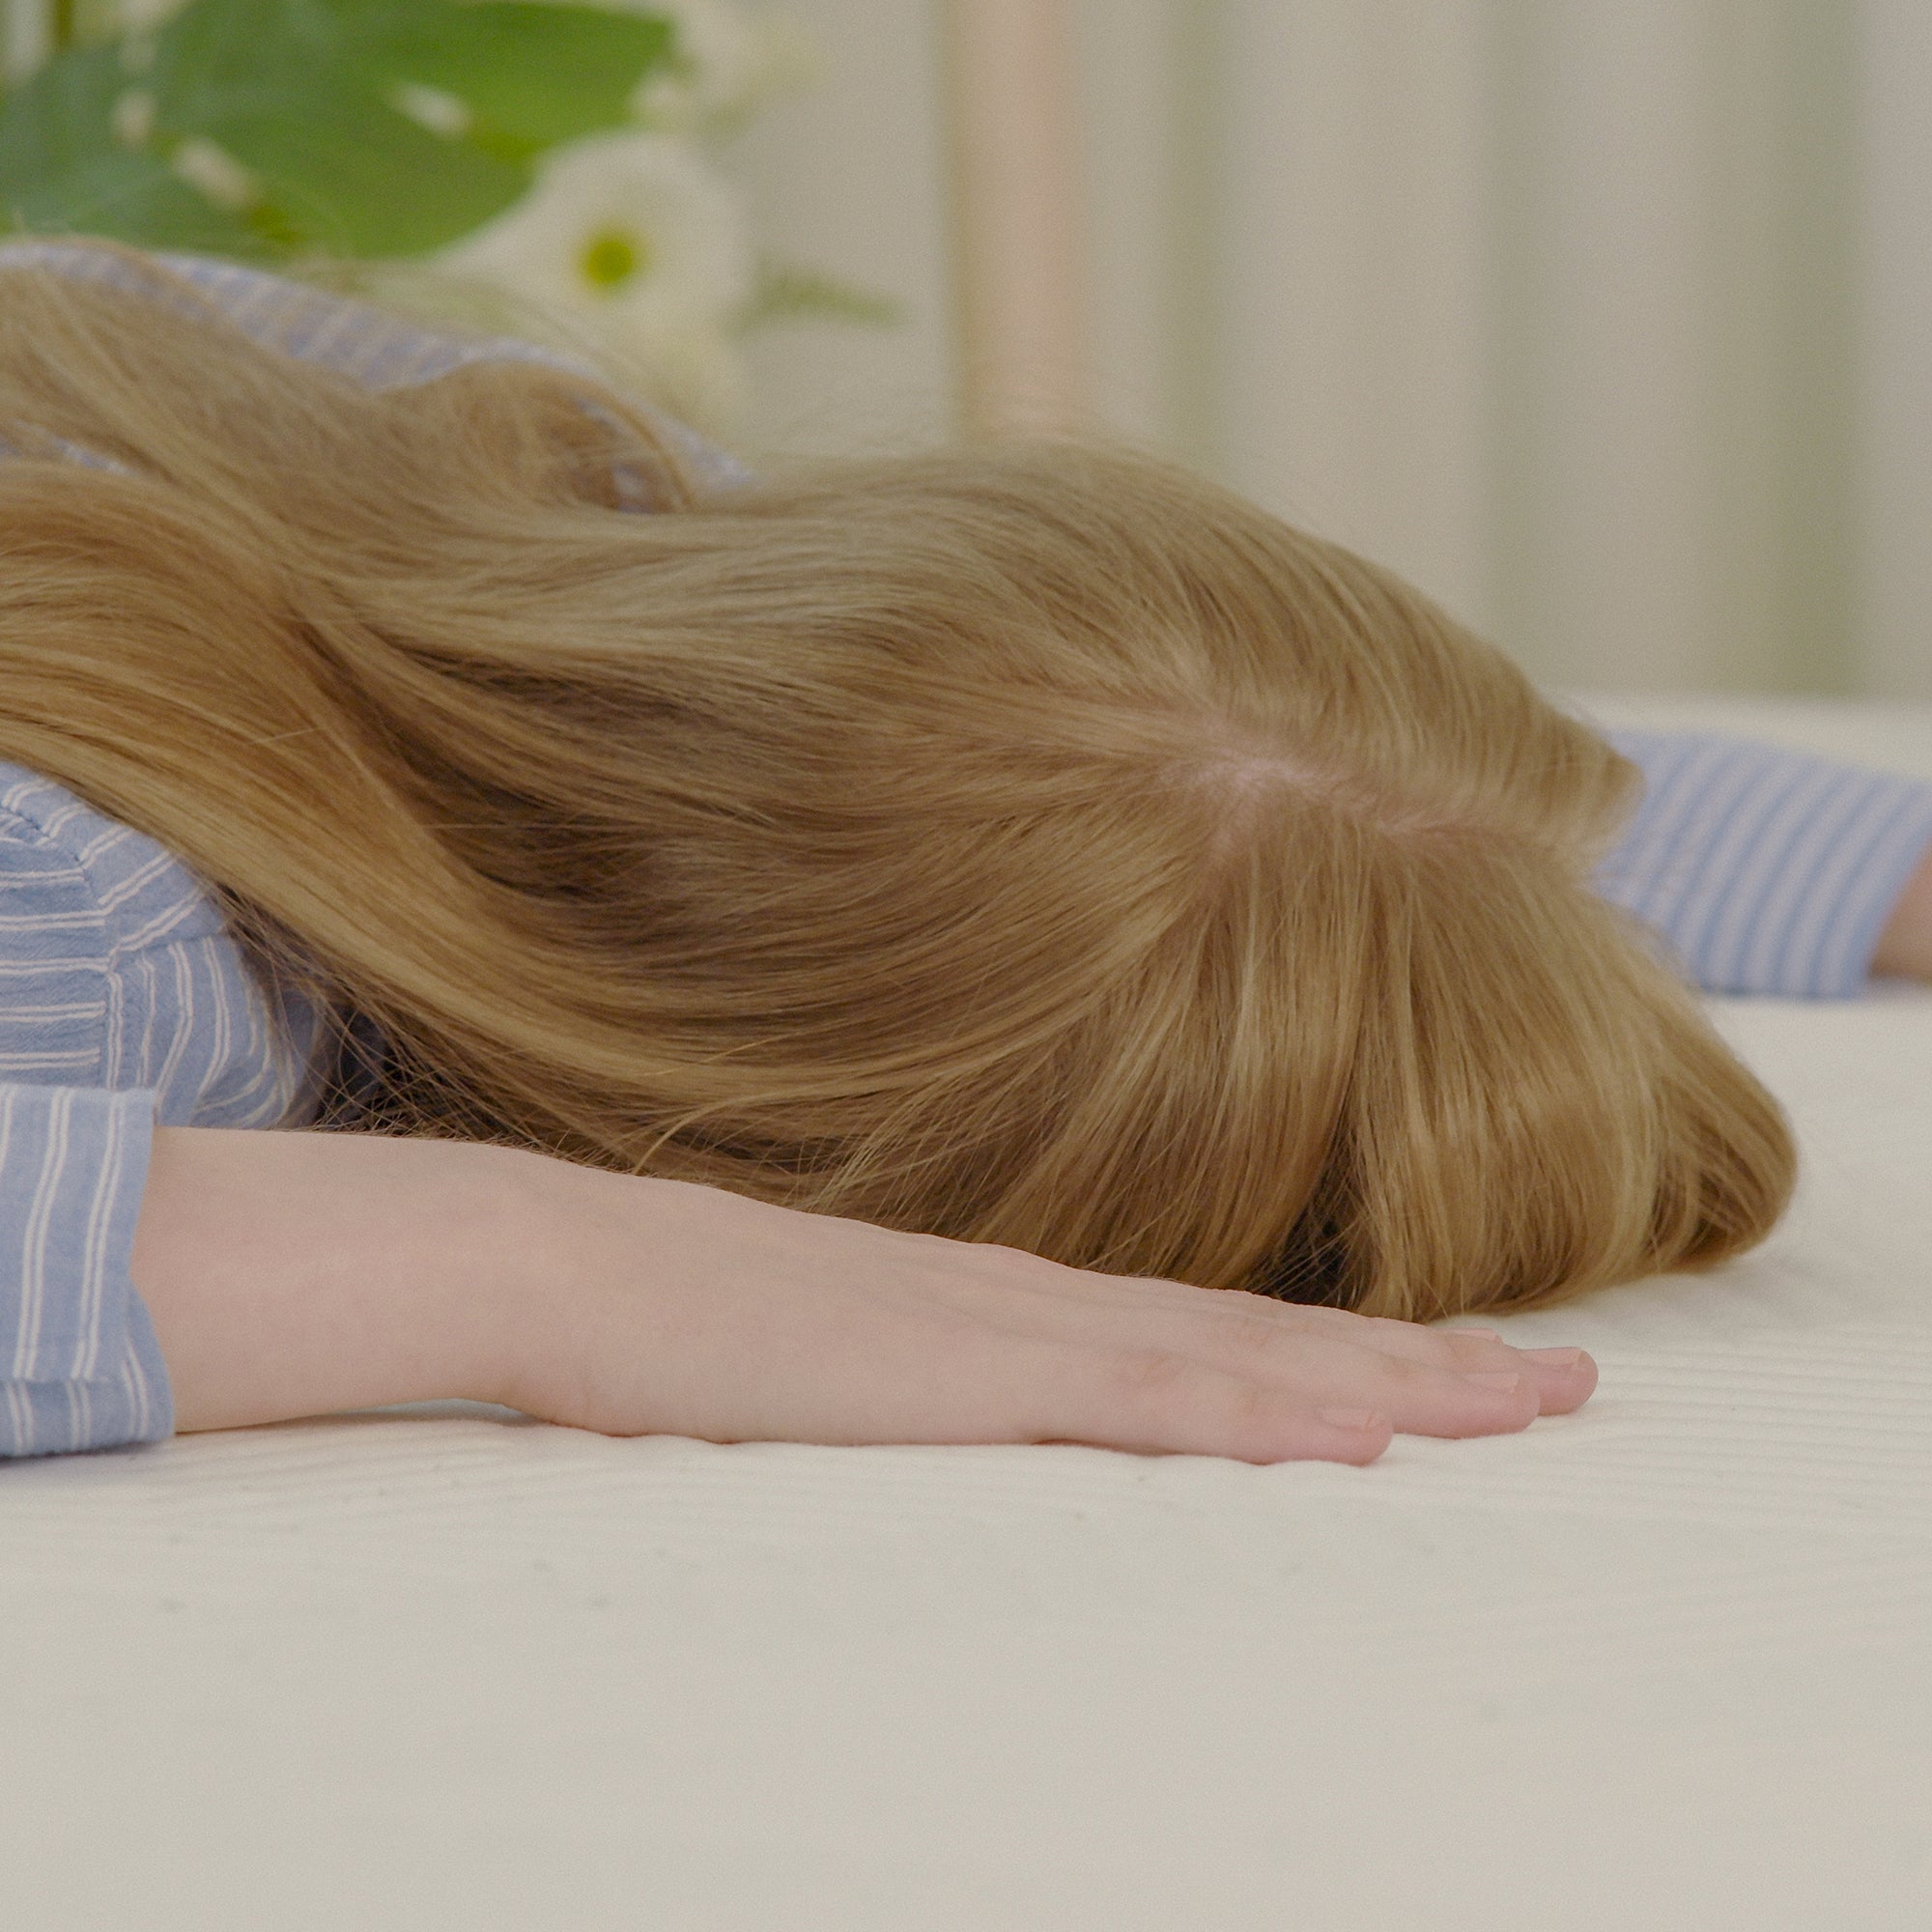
point(80, 1367)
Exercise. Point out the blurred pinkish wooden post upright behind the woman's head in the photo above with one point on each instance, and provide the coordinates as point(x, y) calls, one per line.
point(1019, 217)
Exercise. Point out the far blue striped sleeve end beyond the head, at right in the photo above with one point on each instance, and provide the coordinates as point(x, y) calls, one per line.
point(1765, 870)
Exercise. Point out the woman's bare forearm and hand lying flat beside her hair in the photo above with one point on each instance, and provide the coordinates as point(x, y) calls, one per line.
point(295, 1274)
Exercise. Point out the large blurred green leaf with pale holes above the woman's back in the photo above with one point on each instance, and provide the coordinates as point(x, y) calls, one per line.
point(304, 96)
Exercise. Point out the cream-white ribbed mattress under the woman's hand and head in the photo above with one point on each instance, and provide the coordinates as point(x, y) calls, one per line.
point(1666, 1662)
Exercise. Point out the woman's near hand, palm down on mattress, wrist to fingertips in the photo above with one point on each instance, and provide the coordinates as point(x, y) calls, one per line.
point(698, 1313)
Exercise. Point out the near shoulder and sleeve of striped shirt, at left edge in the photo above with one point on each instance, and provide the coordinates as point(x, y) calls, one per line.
point(125, 1004)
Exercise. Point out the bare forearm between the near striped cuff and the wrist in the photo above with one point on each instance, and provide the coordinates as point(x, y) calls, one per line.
point(300, 1274)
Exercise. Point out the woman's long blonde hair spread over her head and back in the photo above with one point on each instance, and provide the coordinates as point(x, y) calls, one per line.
point(1029, 845)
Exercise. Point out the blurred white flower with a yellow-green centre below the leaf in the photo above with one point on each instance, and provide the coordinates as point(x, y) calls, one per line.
point(639, 246)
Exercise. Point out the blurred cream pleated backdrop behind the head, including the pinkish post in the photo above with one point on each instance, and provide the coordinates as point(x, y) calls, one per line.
point(1606, 322)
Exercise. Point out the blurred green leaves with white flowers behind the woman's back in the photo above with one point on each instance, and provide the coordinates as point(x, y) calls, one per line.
point(554, 159)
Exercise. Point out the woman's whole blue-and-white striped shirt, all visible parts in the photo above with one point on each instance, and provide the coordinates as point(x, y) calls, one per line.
point(127, 1004)
